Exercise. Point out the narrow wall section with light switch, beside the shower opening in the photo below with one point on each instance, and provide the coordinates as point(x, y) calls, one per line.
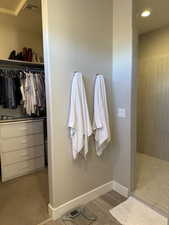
point(123, 91)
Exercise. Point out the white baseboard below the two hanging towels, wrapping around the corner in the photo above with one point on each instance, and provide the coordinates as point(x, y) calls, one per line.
point(58, 212)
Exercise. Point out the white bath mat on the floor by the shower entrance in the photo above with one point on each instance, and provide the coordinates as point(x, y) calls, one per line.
point(134, 212)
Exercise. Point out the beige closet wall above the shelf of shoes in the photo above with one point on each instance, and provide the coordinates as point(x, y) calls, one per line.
point(14, 37)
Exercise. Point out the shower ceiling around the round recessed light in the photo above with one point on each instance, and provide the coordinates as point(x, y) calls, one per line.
point(159, 17)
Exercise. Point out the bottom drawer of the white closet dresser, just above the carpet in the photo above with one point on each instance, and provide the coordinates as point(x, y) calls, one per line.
point(21, 168)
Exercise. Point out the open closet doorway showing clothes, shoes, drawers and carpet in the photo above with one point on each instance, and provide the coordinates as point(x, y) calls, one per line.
point(24, 194)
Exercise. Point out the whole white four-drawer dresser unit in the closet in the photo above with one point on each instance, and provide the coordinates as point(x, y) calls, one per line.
point(21, 148)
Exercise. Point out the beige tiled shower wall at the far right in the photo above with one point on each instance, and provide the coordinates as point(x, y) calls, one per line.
point(153, 96)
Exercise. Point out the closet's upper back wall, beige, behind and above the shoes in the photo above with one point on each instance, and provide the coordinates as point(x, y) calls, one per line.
point(18, 32)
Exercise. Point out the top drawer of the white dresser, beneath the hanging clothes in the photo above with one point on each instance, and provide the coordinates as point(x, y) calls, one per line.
point(20, 129)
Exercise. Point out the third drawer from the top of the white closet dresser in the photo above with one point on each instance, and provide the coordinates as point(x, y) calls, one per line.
point(8, 158)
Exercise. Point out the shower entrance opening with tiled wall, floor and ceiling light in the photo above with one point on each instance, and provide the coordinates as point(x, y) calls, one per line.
point(152, 172)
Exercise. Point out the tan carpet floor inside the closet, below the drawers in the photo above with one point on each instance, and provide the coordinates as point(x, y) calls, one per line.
point(24, 201)
